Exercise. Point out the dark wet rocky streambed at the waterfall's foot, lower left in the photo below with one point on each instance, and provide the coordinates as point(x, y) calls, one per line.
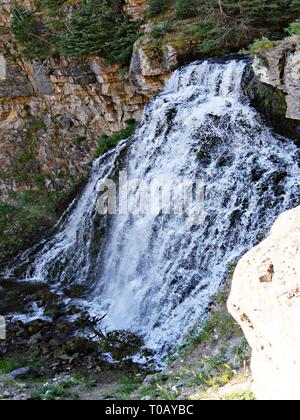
point(63, 339)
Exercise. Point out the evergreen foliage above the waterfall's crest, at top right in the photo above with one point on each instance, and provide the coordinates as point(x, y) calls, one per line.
point(227, 26)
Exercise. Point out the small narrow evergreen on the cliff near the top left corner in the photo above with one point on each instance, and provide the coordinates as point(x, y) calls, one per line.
point(31, 34)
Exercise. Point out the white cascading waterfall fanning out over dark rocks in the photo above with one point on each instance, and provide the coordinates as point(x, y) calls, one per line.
point(155, 275)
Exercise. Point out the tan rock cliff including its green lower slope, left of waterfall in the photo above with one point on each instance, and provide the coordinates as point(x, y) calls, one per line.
point(53, 113)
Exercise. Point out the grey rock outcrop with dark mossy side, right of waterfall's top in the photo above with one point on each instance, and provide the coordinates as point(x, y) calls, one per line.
point(274, 86)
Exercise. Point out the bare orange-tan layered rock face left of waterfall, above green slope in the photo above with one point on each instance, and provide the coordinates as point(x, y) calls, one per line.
point(67, 104)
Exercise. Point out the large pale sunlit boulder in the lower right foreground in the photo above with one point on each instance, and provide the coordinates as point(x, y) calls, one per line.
point(265, 300)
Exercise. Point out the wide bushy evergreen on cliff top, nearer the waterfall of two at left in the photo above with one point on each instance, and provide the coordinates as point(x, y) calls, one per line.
point(99, 27)
